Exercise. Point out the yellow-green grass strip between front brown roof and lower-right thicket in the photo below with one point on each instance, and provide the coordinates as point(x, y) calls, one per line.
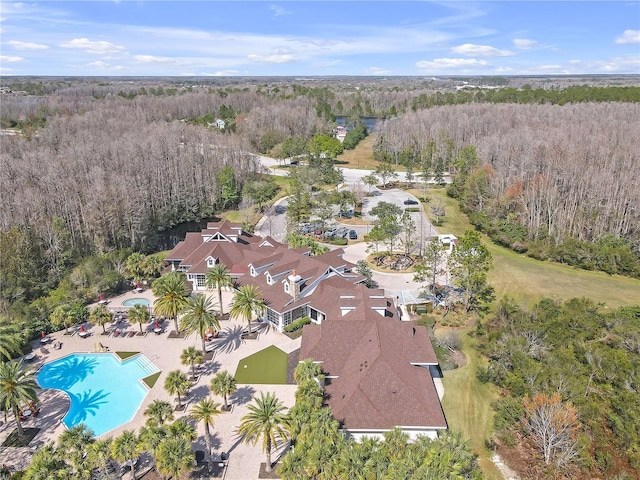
point(467, 405)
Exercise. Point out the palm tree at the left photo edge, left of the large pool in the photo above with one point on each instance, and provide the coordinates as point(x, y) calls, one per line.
point(17, 387)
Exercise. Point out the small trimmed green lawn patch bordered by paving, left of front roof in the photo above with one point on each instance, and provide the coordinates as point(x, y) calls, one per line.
point(268, 366)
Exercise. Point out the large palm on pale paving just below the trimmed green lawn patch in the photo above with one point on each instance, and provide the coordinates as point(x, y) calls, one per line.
point(265, 421)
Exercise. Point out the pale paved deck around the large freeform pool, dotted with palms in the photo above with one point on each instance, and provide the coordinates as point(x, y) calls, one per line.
point(243, 460)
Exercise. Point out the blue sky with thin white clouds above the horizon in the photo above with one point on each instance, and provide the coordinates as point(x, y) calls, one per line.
point(218, 38)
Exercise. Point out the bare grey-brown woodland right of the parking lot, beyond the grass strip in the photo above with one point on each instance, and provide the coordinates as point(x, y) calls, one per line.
point(560, 182)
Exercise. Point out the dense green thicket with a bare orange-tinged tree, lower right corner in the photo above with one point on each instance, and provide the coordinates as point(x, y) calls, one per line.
point(578, 362)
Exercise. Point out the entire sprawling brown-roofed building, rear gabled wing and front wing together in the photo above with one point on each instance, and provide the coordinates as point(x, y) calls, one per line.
point(380, 371)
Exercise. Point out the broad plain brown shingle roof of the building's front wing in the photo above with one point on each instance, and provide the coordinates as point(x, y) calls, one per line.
point(378, 372)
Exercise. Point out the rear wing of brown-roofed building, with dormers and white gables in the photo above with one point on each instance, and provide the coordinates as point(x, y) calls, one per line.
point(295, 284)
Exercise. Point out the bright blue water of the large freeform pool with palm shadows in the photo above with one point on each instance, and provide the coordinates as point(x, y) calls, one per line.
point(104, 391)
